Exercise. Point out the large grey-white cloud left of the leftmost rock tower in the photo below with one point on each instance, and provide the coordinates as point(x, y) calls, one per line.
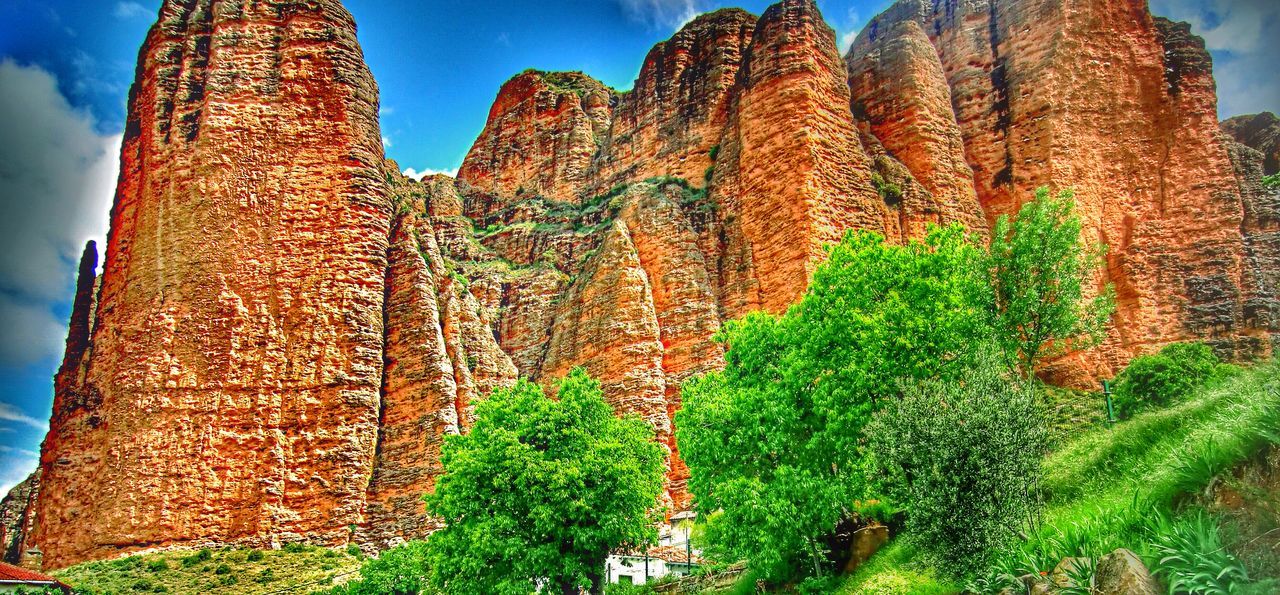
point(57, 185)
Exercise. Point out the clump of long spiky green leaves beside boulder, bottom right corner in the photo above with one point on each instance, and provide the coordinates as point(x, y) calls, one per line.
point(1188, 555)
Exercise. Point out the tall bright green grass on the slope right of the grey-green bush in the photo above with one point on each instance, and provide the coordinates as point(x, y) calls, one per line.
point(1114, 488)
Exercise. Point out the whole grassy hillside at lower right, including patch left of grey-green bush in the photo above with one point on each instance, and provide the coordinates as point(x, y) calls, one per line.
point(1108, 488)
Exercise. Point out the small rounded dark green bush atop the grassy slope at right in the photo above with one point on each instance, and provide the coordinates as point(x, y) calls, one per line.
point(1165, 378)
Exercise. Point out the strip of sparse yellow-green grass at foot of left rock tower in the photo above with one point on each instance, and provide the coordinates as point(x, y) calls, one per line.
point(214, 571)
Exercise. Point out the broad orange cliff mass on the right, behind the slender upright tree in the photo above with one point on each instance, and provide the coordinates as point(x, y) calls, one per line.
point(1095, 97)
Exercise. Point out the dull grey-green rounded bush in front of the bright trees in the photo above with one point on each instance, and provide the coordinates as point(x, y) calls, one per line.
point(967, 457)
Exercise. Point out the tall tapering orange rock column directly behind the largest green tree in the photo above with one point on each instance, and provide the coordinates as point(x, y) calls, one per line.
point(792, 167)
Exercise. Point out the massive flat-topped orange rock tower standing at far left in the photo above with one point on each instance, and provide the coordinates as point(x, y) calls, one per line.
point(232, 381)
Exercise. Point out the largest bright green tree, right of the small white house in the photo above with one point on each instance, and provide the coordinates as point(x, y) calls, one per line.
point(775, 440)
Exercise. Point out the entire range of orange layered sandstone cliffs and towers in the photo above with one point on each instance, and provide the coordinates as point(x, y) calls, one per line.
point(286, 329)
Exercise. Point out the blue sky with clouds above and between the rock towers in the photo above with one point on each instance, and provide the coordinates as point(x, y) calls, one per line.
point(66, 67)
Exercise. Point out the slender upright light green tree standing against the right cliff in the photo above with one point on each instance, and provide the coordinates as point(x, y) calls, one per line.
point(1041, 273)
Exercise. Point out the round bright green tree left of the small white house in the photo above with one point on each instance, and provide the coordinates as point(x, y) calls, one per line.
point(543, 489)
